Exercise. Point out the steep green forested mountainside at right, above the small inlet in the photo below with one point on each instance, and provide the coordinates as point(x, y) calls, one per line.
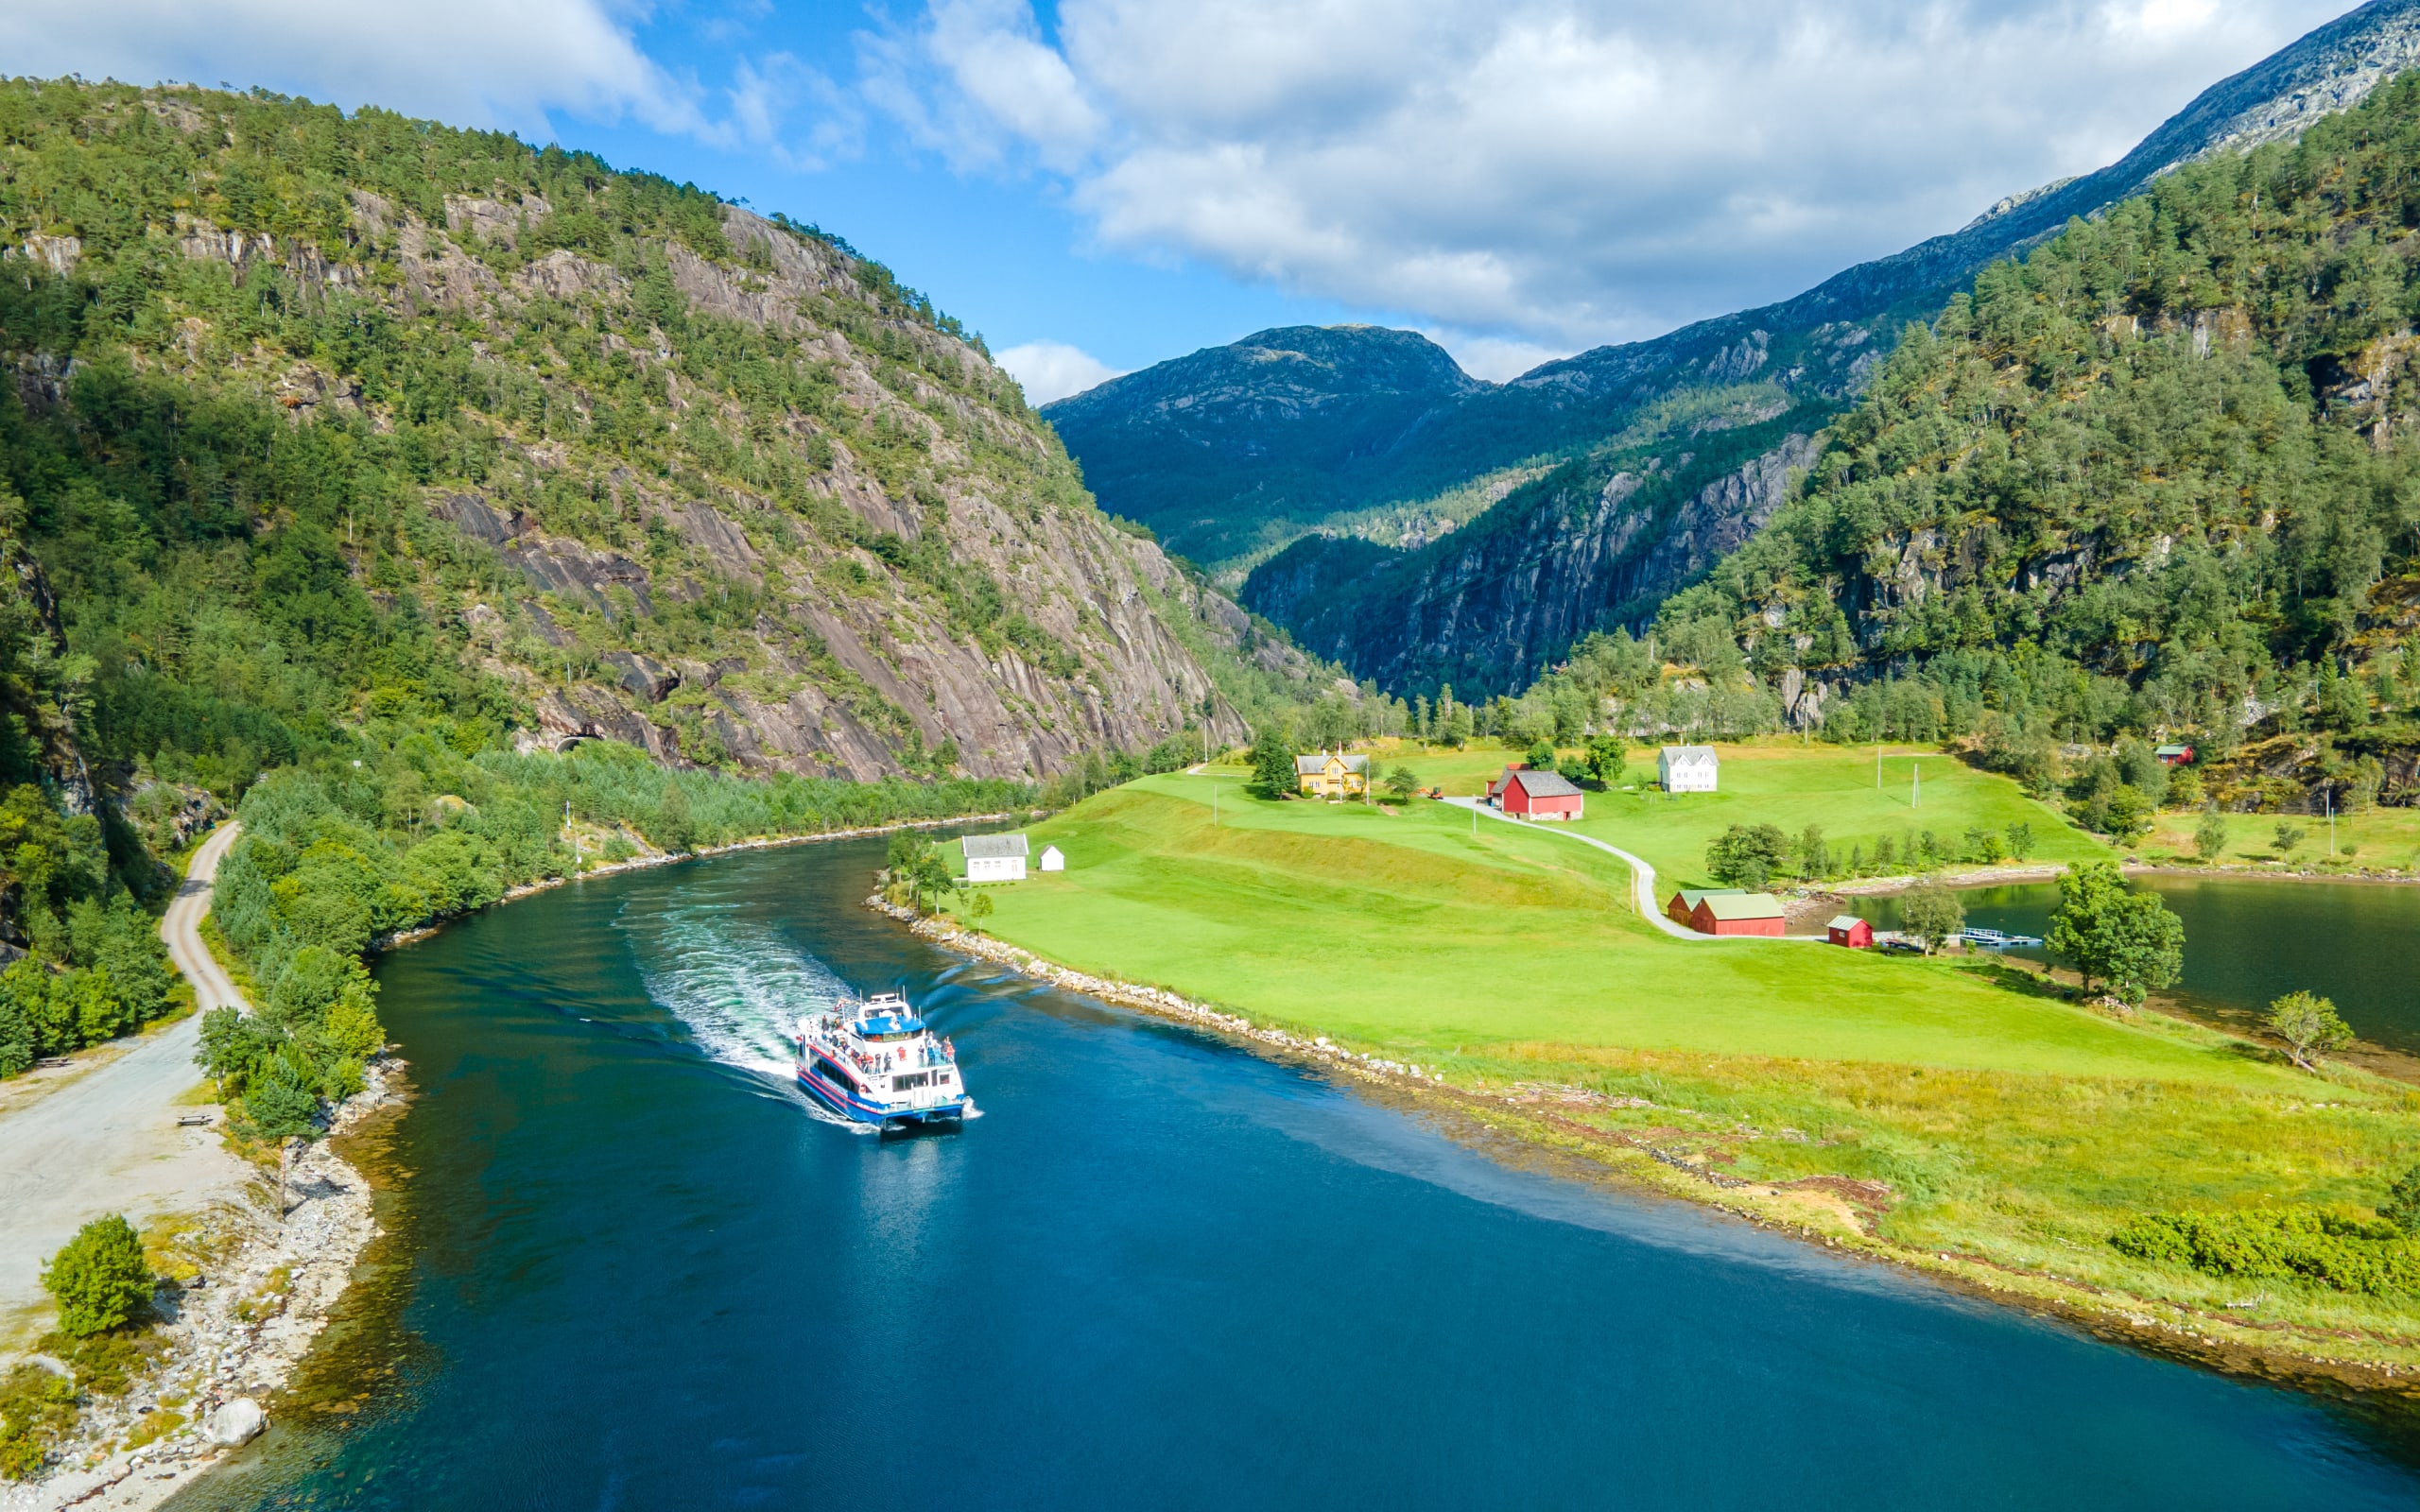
point(2160, 475)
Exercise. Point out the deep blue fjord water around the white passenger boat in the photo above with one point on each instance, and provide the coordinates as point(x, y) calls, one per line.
point(630, 1269)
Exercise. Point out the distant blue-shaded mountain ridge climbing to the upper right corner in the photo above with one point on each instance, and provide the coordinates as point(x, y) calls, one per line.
point(1594, 533)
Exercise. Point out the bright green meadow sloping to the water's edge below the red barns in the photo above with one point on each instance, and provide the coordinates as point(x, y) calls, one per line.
point(1918, 1109)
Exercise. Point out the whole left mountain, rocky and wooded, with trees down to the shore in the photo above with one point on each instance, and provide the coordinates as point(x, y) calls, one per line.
point(355, 468)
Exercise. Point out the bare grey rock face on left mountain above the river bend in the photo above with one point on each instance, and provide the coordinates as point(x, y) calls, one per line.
point(969, 616)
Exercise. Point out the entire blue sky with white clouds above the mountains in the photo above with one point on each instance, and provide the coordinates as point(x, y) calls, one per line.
point(1100, 185)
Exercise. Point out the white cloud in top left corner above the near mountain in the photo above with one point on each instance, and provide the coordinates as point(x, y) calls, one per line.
point(468, 62)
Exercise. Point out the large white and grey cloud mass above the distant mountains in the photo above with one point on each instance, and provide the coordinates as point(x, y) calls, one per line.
point(1550, 173)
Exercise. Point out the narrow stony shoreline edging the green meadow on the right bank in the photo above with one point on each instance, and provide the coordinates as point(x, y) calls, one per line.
point(1533, 1119)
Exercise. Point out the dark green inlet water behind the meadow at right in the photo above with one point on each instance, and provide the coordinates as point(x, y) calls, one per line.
point(2249, 942)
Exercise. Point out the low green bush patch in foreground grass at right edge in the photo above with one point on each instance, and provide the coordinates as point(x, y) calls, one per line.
point(2291, 1245)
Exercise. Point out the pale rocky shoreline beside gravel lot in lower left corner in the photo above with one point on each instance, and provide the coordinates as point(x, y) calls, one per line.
point(234, 1334)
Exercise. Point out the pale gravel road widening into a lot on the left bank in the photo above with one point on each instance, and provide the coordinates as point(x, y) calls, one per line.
point(110, 1141)
